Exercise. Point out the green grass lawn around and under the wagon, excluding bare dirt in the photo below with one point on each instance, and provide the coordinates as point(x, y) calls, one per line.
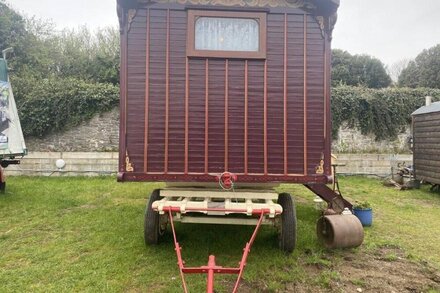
point(86, 234)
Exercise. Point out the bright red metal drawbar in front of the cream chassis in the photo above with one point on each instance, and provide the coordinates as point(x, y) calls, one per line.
point(212, 268)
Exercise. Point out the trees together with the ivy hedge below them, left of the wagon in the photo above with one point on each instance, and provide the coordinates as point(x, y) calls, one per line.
point(60, 78)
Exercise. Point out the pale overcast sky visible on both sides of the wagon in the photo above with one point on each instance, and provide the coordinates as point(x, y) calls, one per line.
point(390, 30)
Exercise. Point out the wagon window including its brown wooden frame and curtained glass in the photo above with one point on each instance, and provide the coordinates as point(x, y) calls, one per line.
point(226, 34)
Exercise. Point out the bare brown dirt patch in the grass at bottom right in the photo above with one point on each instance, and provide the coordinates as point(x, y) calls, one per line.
point(386, 269)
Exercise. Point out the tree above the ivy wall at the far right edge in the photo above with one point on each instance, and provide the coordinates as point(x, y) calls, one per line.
point(424, 71)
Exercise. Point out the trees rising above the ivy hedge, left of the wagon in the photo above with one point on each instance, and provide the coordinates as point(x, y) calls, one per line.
point(42, 52)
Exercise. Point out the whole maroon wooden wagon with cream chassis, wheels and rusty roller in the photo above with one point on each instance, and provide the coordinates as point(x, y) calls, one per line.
point(223, 100)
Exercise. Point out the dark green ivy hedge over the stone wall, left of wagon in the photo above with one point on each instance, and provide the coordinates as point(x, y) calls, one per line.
point(54, 104)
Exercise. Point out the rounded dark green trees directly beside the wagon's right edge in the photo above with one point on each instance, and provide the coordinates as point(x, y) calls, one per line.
point(358, 70)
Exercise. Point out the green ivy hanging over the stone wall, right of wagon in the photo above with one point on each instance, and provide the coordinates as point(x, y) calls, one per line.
point(382, 112)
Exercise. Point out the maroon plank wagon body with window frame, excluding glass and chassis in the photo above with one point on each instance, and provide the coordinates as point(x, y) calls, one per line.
point(188, 115)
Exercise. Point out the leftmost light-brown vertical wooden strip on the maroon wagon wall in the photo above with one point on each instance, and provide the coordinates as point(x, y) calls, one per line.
point(147, 90)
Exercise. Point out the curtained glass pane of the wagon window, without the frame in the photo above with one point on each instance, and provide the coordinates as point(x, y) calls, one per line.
point(227, 34)
